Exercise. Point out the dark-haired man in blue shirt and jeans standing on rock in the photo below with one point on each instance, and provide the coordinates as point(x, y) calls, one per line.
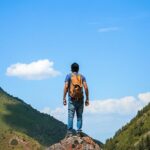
point(74, 84)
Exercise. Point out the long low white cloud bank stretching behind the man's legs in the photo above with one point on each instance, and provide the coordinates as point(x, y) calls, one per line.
point(121, 106)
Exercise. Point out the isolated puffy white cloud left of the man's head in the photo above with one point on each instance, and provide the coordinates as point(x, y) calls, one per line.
point(36, 70)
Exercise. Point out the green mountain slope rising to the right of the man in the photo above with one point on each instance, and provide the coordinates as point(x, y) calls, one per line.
point(133, 136)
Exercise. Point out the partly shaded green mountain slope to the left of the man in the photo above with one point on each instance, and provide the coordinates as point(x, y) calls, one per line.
point(22, 127)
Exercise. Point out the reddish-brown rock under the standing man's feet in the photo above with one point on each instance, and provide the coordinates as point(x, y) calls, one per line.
point(75, 143)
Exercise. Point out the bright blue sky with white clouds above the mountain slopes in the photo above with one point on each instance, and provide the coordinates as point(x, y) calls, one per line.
point(39, 40)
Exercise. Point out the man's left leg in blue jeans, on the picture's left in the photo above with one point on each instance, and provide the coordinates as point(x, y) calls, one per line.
point(71, 111)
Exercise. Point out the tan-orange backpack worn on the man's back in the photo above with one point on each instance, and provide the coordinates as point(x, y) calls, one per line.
point(76, 86)
